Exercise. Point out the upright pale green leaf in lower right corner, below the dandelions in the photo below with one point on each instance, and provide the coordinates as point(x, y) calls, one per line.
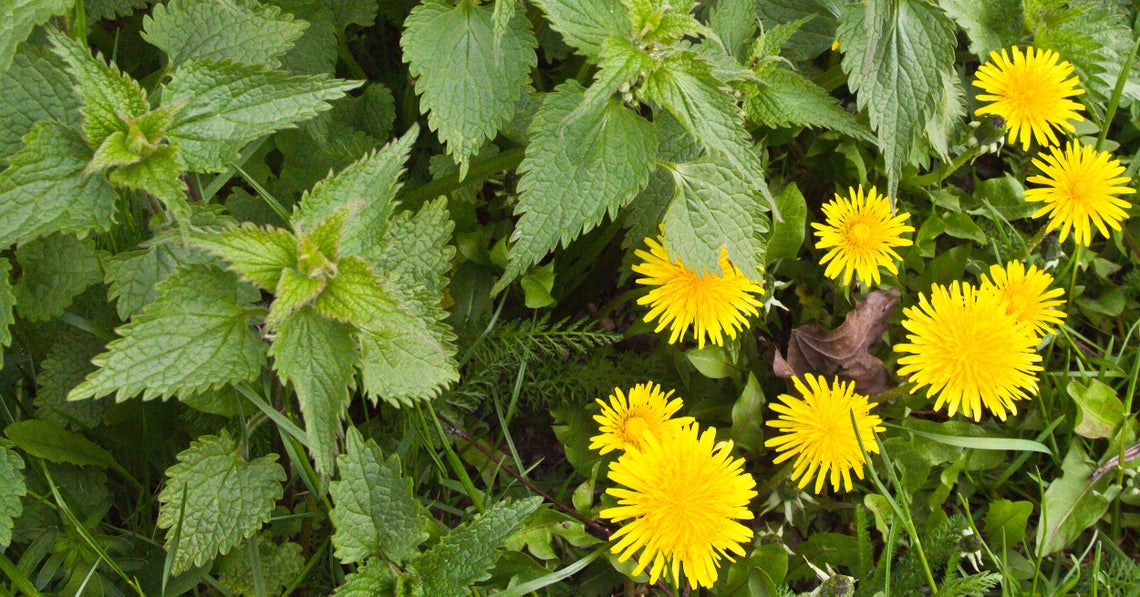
point(1072, 504)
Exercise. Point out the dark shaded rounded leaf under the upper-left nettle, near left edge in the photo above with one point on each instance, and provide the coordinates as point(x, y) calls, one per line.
point(56, 268)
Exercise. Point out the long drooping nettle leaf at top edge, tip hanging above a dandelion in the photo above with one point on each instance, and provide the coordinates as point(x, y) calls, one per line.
point(898, 77)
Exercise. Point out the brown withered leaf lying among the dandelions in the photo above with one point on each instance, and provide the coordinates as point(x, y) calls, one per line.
point(844, 351)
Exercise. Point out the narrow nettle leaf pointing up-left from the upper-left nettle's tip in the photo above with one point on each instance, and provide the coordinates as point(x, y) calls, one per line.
point(111, 99)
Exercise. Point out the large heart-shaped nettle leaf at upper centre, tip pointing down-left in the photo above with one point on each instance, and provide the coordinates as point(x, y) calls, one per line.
point(577, 174)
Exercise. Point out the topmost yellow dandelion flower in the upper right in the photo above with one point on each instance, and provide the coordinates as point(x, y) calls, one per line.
point(1031, 93)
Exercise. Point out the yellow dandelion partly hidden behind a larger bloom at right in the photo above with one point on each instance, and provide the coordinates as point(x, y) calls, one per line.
point(1028, 296)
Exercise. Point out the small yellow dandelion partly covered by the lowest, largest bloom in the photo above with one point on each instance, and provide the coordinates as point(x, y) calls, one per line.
point(625, 421)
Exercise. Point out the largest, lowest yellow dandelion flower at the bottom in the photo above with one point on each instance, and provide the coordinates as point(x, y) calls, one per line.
point(682, 496)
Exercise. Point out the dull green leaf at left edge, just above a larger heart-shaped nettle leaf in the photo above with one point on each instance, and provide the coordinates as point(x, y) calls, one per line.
point(36, 88)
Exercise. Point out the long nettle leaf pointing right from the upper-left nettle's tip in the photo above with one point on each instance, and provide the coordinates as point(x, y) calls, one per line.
point(229, 105)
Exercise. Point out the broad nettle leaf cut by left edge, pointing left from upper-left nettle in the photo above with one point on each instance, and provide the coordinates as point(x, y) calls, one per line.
point(44, 190)
